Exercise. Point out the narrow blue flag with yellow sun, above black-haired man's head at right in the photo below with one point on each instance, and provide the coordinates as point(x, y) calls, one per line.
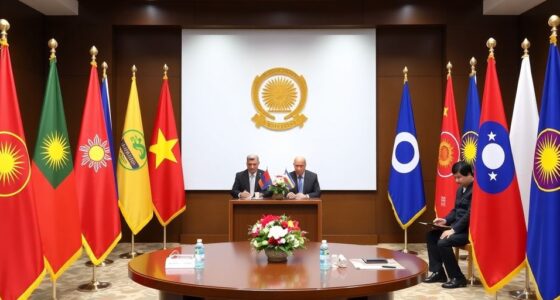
point(469, 139)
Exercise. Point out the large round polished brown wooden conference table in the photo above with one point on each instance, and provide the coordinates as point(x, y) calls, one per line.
point(236, 271)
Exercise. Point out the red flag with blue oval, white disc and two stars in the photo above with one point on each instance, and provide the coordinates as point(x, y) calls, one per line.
point(497, 229)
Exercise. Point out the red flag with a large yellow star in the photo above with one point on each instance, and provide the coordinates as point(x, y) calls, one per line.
point(164, 161)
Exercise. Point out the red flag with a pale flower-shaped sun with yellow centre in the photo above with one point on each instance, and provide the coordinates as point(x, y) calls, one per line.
point(95, 178)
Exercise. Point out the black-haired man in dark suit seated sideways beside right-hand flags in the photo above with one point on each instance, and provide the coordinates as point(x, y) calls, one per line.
point(440, 243)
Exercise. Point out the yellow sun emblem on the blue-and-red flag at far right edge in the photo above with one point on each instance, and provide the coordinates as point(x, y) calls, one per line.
point(546, 166)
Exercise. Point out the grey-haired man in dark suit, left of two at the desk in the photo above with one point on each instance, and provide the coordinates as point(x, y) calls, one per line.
point(246, 182)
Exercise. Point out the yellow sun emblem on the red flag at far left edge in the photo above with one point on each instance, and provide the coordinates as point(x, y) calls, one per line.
point(15, 168)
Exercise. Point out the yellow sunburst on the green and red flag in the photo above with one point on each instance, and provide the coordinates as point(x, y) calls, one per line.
point(56, 150)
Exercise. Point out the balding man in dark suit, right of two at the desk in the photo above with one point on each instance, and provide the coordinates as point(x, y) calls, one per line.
point(306, 182)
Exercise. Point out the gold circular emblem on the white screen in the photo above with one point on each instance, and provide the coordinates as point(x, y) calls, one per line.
point(279, 96)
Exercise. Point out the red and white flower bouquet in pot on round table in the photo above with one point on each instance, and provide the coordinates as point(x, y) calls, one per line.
point(279, 236)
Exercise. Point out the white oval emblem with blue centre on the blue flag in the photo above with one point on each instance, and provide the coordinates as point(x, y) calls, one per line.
point(405, 153)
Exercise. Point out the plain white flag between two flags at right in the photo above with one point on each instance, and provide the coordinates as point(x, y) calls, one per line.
point(523, 134)
